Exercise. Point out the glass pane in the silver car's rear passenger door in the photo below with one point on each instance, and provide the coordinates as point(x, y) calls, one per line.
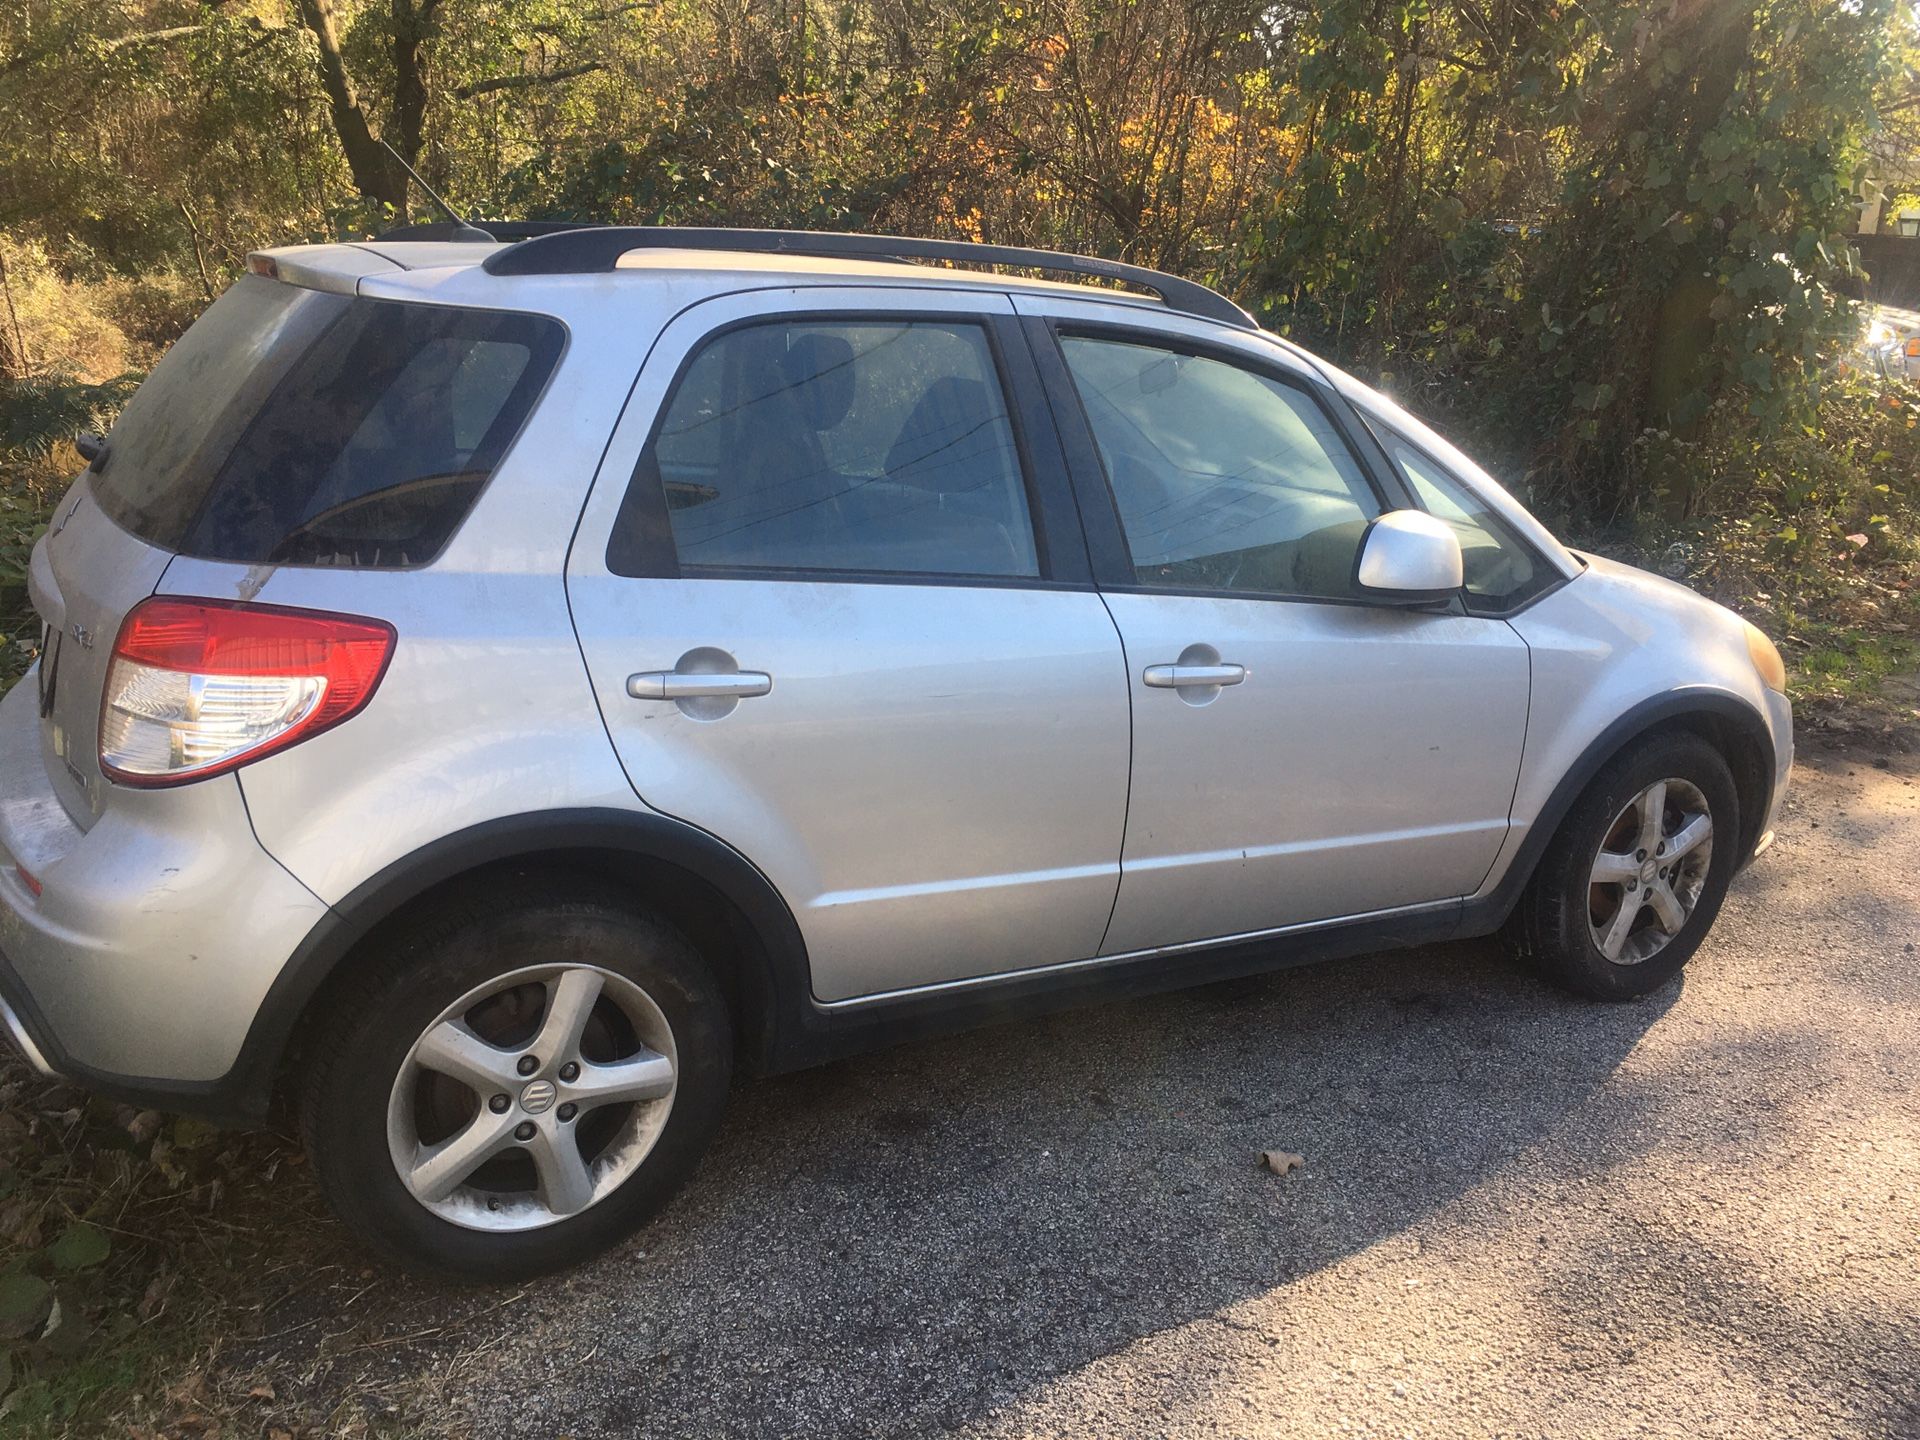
point(869, 446)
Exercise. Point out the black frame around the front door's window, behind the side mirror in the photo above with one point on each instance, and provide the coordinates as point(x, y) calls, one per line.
point(1107, 539)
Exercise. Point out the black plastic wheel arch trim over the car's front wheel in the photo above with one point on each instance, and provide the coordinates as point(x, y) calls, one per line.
point(1489, 913)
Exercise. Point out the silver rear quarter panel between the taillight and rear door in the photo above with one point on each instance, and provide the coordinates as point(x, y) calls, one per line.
point(485, 709)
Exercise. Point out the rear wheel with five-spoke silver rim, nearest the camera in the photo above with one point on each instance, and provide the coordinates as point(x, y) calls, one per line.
point(516, 1084)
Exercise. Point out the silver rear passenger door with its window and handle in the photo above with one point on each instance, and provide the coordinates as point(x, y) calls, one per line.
point(836, 608)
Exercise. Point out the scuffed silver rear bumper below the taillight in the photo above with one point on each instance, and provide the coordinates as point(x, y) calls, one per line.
point(156, 932)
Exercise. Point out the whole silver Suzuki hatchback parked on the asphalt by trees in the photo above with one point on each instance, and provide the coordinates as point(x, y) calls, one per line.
point(500, 683)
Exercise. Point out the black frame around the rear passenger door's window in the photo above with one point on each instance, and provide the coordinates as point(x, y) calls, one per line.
point(642, 540)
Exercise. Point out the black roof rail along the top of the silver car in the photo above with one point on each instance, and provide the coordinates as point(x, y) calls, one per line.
point(594, 251)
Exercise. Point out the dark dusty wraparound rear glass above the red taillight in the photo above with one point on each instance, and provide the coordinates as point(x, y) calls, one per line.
point(297, 427)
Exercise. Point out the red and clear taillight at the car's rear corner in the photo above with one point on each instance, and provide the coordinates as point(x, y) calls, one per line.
point(204, 686)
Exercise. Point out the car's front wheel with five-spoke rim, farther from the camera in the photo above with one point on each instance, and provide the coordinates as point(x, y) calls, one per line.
point(1637, 873)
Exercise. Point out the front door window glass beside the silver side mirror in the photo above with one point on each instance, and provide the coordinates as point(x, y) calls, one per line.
point(1224, 479)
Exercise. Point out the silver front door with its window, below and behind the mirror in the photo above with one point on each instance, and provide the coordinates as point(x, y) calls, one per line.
point(1299, 754)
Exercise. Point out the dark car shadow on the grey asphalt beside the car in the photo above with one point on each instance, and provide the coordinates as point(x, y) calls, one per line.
point(915, 1239)
